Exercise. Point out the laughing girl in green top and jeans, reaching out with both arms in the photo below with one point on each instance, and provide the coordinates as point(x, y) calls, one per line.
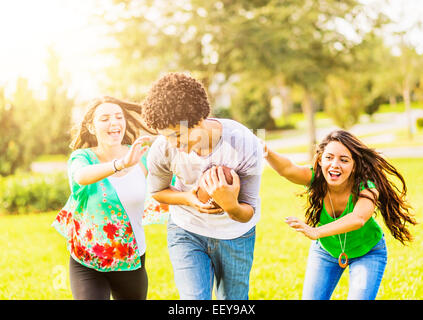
point(347, 183)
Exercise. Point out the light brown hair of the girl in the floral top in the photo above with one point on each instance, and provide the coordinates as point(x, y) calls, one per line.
point(82, 138)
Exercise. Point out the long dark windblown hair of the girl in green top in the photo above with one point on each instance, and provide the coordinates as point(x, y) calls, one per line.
point(368, 165)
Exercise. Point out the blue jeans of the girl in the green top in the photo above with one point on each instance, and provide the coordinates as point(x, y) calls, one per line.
point(323, 273)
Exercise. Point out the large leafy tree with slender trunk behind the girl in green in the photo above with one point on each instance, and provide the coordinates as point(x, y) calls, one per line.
point(296, 41)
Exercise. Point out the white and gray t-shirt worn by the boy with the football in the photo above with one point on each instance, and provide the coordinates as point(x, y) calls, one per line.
point(239, 149)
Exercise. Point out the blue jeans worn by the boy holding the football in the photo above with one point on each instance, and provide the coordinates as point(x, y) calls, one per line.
point(198, 261)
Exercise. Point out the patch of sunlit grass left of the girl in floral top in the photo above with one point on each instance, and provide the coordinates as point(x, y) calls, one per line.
point(33, 255)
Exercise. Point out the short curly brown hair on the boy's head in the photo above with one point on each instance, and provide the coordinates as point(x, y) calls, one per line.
point(173, 99)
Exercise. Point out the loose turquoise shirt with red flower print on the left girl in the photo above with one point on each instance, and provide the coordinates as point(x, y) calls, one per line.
point(94, 222)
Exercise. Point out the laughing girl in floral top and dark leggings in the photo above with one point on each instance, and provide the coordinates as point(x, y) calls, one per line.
point(102, 219)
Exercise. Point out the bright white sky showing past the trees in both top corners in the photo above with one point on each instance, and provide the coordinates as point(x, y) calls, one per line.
point(28, 27)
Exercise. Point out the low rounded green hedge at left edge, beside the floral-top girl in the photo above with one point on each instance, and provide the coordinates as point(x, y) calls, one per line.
point(24, 193)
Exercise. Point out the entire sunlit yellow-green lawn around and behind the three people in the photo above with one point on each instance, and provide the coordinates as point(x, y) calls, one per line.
point(34, 259)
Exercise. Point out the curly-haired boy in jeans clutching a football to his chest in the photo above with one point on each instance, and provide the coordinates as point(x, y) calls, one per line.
point(206, 243)
